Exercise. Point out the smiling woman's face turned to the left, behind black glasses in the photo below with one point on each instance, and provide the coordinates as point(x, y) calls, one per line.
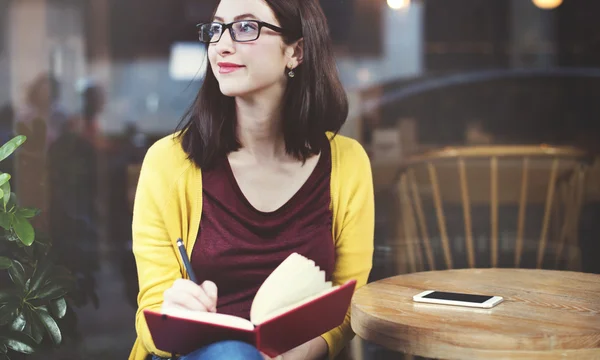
point(246, 68)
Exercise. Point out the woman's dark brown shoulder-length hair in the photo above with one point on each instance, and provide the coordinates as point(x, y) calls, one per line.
point(314, 101)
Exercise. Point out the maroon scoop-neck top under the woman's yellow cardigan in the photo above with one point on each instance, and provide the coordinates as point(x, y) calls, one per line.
point(238, 246)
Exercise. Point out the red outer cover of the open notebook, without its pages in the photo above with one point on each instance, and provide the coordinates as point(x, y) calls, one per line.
point(275, 336)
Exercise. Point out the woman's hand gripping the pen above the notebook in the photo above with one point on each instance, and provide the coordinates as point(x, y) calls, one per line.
point(185, 294)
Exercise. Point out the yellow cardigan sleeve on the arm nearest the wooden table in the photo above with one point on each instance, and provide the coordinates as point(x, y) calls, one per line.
point(355, 234)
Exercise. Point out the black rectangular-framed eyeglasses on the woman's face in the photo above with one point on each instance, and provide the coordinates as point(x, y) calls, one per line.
point(240, 31)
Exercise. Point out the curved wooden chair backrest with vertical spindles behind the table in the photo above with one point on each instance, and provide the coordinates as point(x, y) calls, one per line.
point(491, 206)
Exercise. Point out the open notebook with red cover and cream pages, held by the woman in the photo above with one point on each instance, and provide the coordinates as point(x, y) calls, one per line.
point(292, 306)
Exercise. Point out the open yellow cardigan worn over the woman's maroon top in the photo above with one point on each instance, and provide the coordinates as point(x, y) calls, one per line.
point(168, 205)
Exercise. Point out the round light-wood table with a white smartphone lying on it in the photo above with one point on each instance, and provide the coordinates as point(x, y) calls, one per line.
point(545, 315)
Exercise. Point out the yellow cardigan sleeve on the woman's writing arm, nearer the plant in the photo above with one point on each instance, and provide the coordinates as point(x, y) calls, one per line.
point(157, 263)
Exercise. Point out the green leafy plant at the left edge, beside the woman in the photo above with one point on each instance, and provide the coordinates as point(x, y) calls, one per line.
point(34, 290)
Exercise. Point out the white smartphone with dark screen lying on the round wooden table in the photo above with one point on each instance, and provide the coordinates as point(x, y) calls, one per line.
point(459, 299)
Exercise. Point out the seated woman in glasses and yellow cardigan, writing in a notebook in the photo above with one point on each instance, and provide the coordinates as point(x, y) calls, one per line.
point(255, 173)
